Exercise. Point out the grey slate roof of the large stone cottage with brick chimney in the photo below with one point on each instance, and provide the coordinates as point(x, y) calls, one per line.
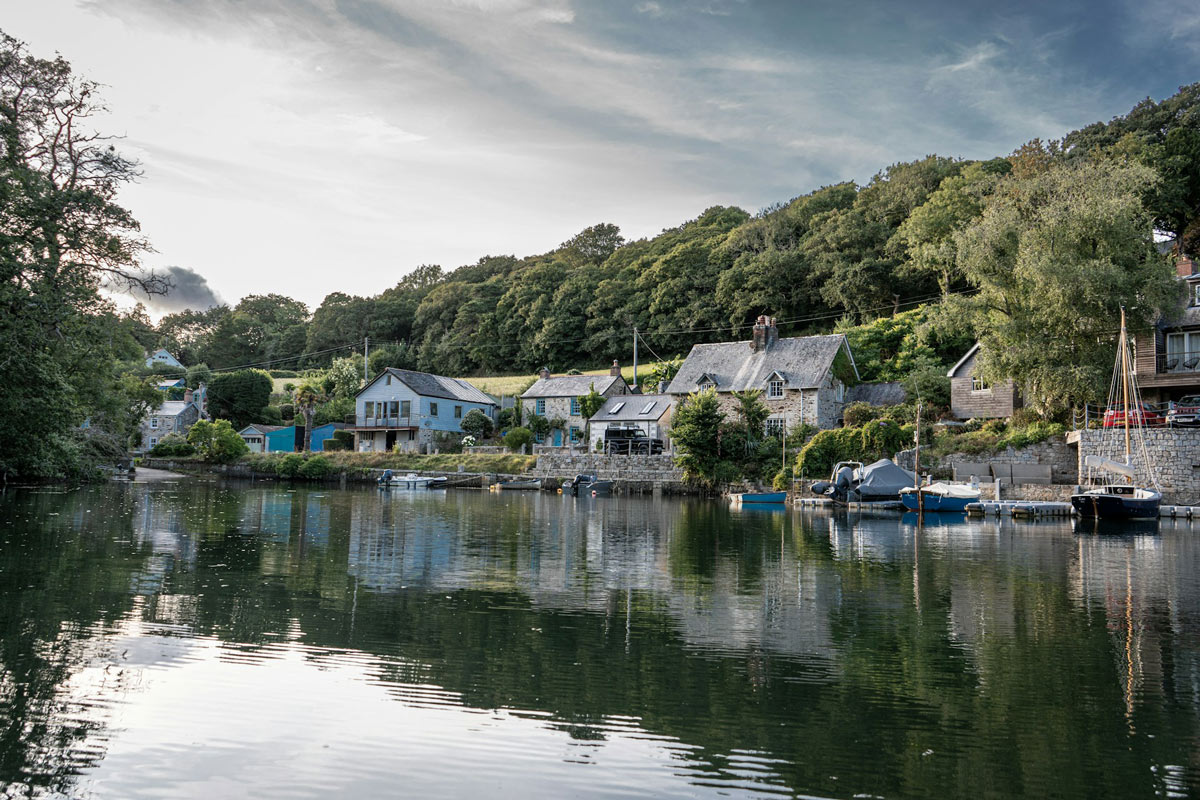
point(803, 362)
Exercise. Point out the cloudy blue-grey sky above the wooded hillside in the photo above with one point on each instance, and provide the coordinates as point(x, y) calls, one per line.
point(308, 147)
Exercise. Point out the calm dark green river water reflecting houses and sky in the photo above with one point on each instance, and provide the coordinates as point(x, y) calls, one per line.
point(197, 640)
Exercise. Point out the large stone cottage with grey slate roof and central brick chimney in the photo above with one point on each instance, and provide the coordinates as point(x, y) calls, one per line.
point(803, 380)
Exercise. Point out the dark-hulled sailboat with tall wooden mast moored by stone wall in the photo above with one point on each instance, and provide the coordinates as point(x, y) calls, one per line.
point(1120, 497)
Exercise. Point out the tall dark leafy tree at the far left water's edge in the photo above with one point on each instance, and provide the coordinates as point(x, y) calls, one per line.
point(62, 237)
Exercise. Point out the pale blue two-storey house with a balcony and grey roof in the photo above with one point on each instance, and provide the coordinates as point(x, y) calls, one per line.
point(405, 410)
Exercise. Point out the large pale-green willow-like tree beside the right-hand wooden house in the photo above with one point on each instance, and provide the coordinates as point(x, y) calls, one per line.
point(1055, 256)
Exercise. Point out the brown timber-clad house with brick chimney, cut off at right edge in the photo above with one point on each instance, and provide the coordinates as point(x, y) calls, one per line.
point(1167, 362)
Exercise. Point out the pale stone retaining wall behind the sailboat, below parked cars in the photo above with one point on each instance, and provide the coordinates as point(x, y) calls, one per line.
point(1174, 458)
